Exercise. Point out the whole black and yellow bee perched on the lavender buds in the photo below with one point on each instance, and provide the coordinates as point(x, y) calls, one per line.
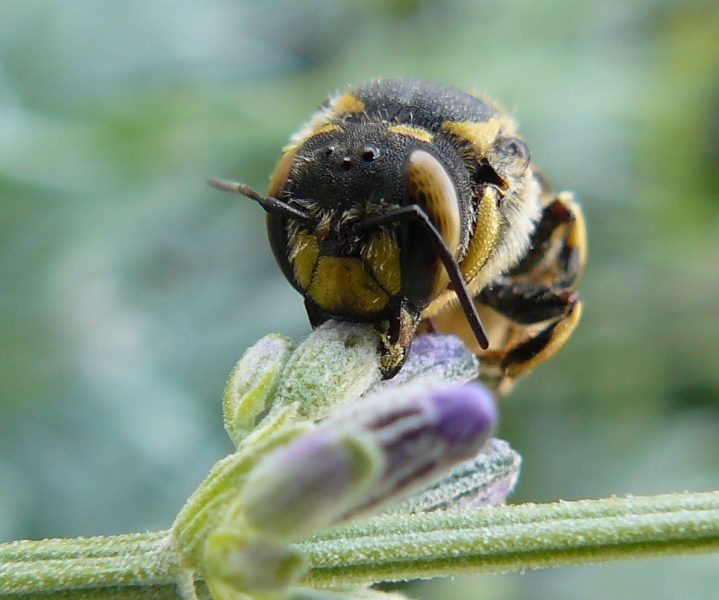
point(415, 206)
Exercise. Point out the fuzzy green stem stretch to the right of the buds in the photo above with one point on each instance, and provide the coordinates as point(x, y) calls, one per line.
point(515, 538)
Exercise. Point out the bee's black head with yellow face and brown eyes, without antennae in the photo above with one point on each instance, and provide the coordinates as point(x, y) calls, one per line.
point(346, 175)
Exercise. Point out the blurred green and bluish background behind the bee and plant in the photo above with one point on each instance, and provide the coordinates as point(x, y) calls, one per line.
point(128, 288)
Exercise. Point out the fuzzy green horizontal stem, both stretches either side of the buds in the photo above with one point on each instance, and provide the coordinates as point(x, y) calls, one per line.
point(392, 547)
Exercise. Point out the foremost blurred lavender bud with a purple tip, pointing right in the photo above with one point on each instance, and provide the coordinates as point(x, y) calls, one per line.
point(368, 454)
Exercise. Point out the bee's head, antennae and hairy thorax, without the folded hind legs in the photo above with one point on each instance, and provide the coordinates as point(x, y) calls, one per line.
point(398, 201)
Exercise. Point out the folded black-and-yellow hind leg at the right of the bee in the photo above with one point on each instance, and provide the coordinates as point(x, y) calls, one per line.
point(538, 290)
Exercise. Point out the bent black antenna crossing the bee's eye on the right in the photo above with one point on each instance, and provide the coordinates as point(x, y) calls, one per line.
point(414, 212)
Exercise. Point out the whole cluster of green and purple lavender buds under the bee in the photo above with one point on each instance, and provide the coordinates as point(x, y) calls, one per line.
point(322, 441)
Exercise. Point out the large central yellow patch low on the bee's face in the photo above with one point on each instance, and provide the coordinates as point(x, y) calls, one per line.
point(342, 285)
